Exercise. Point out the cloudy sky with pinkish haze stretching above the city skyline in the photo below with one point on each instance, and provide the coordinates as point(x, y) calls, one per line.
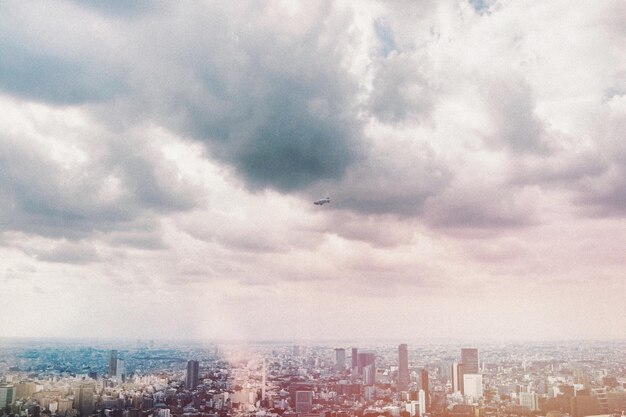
point(159, 160)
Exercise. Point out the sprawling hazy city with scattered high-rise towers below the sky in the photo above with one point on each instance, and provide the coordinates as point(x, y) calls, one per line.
point(81, 378)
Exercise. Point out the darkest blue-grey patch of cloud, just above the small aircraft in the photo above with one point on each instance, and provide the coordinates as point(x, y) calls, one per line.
point(295, 144)
